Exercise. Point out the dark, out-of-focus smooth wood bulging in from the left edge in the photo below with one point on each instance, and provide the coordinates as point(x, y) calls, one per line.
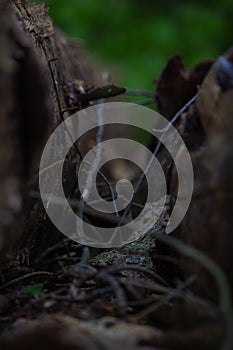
point(23, 127)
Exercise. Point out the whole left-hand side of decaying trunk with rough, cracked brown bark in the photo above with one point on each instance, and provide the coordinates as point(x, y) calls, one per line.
point(37, 66)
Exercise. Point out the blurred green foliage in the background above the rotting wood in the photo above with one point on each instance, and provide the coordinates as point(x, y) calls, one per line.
point(137, 37)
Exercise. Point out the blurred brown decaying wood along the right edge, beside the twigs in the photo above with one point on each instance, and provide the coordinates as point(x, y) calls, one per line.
point(207, 224)
